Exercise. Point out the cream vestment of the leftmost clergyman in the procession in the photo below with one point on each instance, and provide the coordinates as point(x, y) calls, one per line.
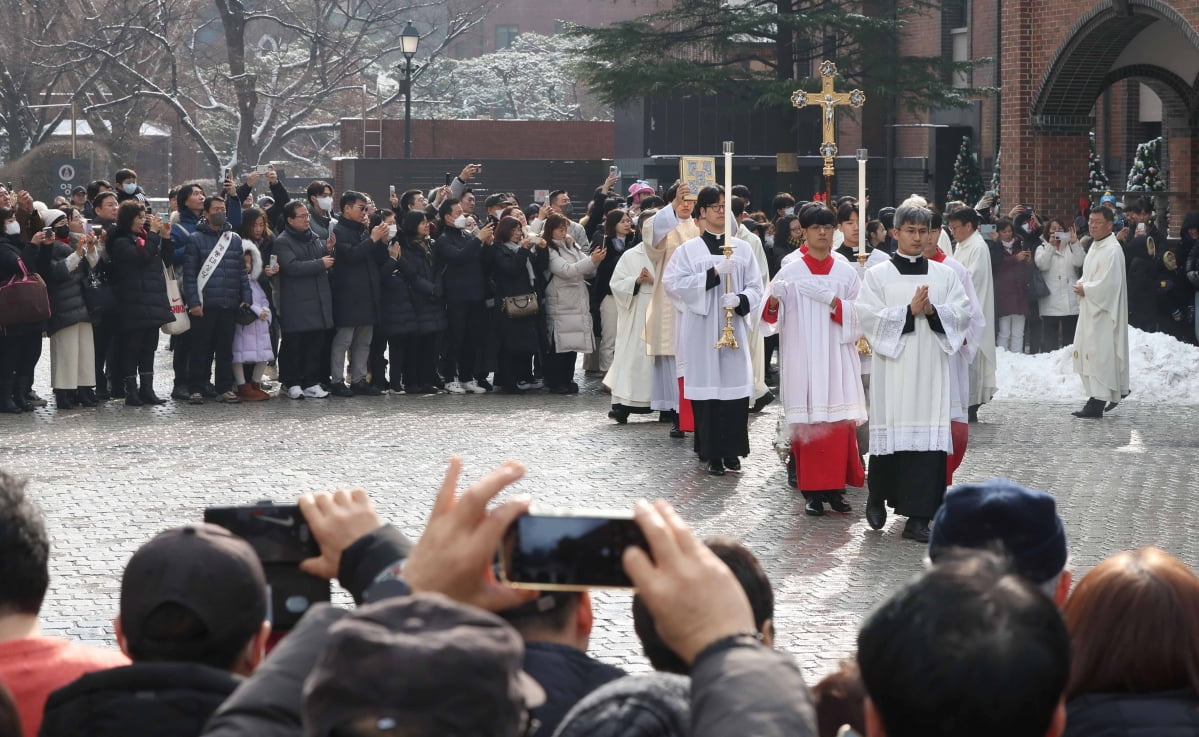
point(631, 376)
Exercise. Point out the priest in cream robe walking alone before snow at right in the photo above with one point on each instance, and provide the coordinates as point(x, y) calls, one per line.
point(1101, 342)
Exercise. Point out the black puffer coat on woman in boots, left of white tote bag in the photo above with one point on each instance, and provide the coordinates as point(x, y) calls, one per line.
point(141, 285)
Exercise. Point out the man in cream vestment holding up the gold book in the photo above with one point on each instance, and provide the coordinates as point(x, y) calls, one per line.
point(665, 233)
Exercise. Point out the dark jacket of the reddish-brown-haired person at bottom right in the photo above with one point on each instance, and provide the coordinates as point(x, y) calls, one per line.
point(1159, 715)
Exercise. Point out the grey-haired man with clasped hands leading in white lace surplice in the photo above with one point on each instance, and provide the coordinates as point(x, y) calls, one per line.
point(915, 316)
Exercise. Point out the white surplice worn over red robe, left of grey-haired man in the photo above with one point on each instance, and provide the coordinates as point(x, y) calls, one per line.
point(820, 367)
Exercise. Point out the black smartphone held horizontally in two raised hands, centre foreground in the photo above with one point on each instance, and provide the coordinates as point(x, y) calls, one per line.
point(569, 551)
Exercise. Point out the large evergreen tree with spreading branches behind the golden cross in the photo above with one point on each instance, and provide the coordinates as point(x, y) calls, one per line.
point(748, 53)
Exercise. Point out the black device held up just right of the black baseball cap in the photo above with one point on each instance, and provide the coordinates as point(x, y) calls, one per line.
point(281, 537)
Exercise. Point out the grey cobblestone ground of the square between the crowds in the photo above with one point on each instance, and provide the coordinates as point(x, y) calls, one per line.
point(110, 479)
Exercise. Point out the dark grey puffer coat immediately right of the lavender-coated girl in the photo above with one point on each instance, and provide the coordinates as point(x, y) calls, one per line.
point(306, 299)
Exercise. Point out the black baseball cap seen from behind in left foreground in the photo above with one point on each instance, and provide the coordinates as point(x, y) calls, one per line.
point(206, 570)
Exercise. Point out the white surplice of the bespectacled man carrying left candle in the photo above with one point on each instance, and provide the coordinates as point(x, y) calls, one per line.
point(712, 373)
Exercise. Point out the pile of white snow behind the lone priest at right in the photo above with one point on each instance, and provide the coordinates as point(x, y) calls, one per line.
point(1161, 368)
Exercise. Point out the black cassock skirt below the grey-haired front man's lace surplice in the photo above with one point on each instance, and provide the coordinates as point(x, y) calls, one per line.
point(911, 481)
